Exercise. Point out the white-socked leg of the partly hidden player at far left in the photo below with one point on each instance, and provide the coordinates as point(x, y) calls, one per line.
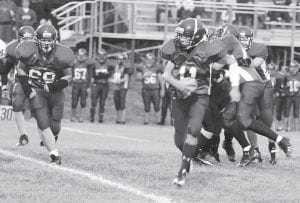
point(18, 104)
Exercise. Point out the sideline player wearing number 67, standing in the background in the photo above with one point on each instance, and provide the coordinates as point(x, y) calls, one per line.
point(81, 80)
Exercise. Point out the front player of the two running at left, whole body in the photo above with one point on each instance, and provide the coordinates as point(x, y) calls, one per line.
point(44, 70)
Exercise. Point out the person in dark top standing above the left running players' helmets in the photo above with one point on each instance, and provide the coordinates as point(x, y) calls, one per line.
point(25, 15)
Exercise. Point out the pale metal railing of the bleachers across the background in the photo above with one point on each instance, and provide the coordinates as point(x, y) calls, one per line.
point(137, 19)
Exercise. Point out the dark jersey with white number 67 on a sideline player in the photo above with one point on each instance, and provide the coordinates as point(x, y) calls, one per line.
point(82, 71)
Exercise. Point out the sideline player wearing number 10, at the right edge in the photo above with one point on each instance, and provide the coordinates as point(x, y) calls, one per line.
point(293, 95)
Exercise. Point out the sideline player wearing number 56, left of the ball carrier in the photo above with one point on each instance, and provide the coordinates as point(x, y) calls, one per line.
point(149, 72)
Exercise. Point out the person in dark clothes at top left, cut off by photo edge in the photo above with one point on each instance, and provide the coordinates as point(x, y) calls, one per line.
point(7, 12)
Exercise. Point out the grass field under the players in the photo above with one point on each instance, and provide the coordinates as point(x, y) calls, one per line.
point(134, 163)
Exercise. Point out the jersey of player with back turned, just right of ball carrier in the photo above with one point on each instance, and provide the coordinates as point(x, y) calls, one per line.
point(235, 49)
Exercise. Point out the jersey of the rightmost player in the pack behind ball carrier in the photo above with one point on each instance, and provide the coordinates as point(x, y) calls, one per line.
point(260, 50)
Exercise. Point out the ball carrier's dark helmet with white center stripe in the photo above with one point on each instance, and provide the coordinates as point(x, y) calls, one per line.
point(189, 33)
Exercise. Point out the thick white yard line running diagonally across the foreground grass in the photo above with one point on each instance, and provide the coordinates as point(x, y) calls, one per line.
point(88, 175)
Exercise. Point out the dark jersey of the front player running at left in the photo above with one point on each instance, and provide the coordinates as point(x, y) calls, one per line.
point(41, 70)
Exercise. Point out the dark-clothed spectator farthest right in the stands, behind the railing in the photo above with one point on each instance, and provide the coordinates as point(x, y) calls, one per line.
point(280, 16)
